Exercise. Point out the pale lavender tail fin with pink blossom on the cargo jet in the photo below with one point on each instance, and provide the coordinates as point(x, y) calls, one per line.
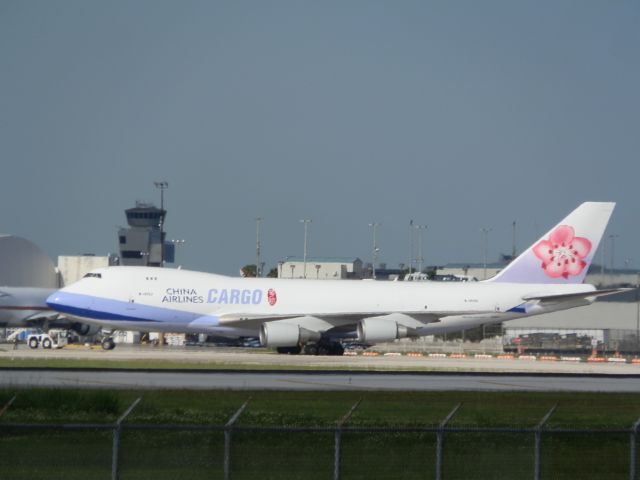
point(564, 253)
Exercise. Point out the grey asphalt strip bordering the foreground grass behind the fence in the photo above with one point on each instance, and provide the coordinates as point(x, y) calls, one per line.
point(16, 378)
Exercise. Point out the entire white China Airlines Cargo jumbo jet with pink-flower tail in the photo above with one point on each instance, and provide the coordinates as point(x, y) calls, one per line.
point(291, 314)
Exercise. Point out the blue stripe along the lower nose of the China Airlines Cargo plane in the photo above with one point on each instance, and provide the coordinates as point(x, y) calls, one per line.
point(107, 309)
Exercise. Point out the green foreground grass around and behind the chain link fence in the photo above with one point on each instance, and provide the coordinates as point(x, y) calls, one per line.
point(163, 454)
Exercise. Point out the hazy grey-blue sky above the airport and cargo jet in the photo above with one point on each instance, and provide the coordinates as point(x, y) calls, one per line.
point(458, 115)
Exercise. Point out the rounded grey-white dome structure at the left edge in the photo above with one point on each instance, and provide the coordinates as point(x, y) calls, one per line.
point(23, 264)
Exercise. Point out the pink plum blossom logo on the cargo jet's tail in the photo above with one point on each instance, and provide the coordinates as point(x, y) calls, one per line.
point(563, 253)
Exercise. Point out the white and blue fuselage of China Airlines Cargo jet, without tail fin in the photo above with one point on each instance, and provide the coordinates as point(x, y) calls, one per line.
point(157, 299)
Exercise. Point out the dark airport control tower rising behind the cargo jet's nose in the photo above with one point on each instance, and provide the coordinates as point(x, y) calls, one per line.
point(143, 243)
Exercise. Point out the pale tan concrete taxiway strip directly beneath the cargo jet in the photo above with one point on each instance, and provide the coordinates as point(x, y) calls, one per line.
point(258, 358)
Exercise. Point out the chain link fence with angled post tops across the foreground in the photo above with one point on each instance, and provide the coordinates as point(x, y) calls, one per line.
point(123, 450)
